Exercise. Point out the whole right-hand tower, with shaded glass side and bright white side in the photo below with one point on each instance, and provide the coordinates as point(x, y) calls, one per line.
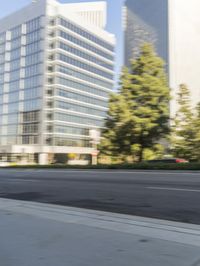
point(173, 27)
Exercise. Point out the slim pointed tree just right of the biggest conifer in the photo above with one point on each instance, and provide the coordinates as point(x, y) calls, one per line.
point(183, 133)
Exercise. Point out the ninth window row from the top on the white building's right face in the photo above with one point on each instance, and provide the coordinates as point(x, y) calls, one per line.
point(79, 119)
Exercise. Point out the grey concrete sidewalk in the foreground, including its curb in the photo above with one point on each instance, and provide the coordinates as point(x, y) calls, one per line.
point(36, 234)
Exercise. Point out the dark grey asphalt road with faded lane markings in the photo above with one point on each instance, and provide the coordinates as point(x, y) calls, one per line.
point(157, 194)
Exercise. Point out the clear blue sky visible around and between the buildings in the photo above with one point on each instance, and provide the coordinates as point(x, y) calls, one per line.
point(114, 20)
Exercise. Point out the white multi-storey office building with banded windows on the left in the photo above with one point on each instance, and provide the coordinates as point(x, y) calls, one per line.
point(56, 74)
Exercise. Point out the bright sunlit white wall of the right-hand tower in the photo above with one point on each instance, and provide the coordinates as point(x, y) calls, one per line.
point(184, 48)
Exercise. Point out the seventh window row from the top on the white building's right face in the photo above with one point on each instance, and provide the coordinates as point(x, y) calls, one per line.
point(81, 98)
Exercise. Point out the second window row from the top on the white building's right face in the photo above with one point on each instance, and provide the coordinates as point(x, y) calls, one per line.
point(85, 45)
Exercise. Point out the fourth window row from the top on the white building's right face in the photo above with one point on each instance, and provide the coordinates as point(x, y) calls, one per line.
point(85, 66)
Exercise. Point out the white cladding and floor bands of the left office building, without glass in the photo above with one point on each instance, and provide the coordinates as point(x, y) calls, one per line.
point(91, 18)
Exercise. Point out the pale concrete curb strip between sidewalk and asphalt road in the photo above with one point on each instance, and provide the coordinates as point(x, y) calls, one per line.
point(152, 228)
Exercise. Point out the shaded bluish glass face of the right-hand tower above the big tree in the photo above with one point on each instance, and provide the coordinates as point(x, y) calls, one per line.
point(146, 21)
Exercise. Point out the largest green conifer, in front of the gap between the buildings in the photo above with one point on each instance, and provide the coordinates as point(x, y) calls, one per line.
point(138, 115)
